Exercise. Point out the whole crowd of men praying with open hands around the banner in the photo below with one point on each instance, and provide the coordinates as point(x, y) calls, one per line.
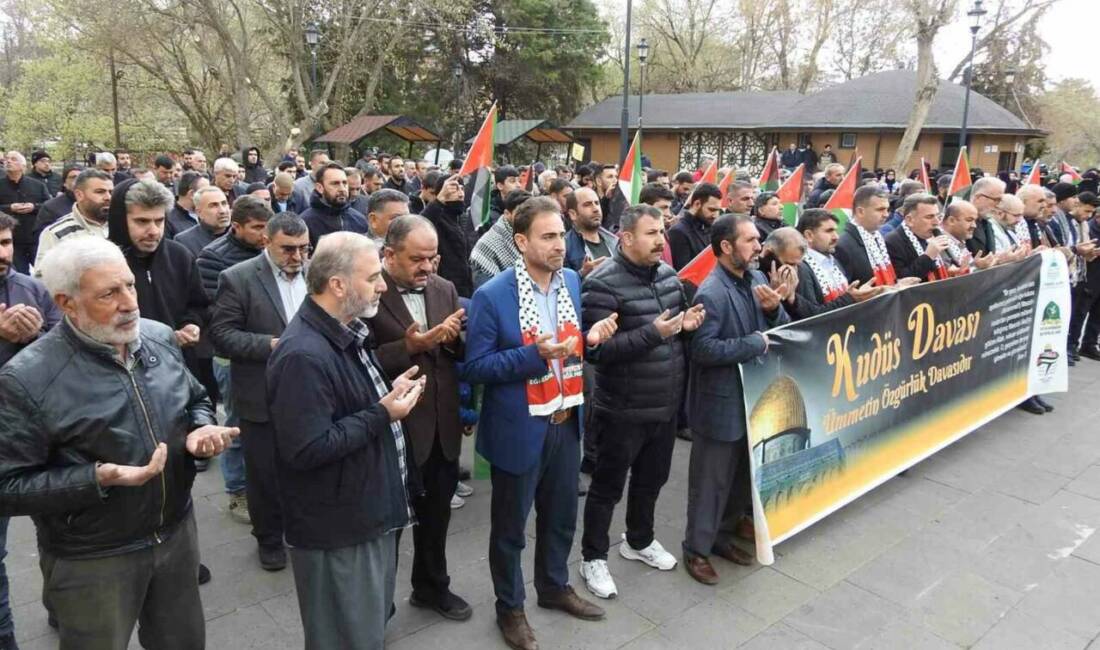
point(342, 316)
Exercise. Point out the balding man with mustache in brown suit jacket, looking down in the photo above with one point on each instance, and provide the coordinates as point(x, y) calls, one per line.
point(419, 324)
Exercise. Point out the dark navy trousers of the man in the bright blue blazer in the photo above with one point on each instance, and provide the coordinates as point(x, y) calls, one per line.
point(552, 488)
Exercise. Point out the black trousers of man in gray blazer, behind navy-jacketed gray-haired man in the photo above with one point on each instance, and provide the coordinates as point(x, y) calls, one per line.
point(266, 510)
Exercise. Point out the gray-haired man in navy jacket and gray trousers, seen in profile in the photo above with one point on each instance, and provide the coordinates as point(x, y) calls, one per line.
point(340, 449)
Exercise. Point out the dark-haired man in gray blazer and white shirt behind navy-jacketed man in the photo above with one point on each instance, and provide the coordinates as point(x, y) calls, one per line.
point(255, 303)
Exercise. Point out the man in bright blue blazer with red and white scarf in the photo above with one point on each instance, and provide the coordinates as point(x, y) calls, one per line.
point(524, 345)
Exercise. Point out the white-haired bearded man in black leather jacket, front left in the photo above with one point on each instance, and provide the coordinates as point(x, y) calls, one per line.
point(114, 513)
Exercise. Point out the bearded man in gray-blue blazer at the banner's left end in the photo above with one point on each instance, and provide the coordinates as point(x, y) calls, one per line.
point(740, 306)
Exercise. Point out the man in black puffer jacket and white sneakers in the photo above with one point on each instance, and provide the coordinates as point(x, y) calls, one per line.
point(641, 373)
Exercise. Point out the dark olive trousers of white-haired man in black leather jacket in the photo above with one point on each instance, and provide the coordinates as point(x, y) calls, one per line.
point(97, 602)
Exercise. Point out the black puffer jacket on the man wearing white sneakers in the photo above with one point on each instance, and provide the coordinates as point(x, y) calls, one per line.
point(640, 377)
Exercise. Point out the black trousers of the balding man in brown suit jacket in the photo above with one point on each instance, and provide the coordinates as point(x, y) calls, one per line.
point(439, 478)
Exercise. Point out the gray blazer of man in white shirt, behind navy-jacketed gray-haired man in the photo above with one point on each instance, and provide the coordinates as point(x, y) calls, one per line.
point(248, 314)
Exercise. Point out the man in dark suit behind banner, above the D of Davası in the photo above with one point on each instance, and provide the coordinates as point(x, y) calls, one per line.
point(921, 218)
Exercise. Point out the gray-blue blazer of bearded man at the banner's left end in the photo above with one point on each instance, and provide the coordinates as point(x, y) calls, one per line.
point(728, 338)
